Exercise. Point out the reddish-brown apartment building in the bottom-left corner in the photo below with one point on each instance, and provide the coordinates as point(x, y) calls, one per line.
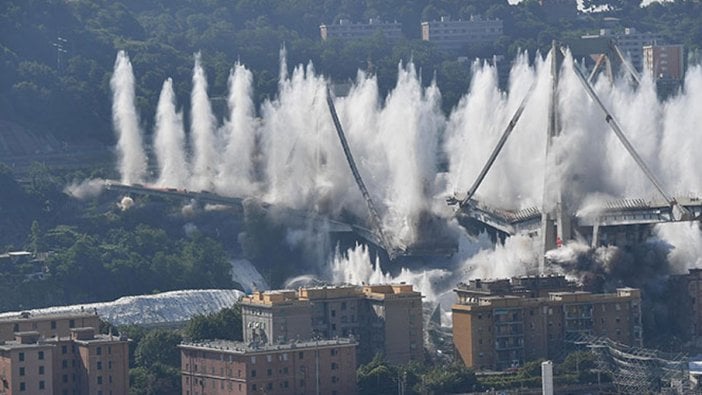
point(56, 359)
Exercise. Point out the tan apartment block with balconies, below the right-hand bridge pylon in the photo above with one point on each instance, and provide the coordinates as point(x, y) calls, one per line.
point(504, 330)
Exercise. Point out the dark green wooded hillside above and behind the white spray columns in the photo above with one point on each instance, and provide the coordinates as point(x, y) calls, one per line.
point(56, 56)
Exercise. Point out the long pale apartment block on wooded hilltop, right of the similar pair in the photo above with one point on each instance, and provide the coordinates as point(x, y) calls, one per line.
point(454, 36)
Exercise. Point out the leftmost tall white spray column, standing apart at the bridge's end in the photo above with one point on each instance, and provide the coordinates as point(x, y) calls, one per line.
point(130, 151)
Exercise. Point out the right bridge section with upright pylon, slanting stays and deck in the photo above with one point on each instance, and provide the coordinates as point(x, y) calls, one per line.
point(559, 223)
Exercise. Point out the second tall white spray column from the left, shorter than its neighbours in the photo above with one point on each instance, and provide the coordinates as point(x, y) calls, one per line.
point(169, 141)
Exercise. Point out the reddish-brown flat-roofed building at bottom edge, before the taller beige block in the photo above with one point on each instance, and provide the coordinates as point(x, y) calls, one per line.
point(226, 367)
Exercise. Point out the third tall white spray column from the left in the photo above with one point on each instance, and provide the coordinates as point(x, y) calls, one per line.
point(202, 132)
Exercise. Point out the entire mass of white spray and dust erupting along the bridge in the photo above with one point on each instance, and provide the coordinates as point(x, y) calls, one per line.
point(395, 142)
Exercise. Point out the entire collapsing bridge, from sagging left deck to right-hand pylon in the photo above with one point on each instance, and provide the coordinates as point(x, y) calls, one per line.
point(602, 224)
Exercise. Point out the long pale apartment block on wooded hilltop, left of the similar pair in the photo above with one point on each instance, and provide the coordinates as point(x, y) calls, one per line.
point(347, 30)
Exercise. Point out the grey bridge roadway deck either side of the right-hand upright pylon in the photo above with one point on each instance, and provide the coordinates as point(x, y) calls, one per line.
point(593, 220)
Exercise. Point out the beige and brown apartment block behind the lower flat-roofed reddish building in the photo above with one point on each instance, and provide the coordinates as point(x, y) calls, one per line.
point(384, 319)
